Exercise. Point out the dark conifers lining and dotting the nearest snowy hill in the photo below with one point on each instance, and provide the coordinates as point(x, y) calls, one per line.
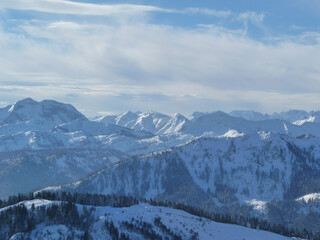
point(16, 219)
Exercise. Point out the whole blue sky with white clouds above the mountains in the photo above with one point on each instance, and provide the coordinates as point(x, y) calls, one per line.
point(108, 57)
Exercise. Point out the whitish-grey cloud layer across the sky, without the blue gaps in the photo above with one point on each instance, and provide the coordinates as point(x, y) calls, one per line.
point(116, 66)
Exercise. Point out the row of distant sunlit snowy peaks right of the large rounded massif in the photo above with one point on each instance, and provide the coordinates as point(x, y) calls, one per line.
point(217, 123)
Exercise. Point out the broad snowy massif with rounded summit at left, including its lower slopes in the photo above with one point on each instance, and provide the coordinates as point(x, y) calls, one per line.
point(47, 143)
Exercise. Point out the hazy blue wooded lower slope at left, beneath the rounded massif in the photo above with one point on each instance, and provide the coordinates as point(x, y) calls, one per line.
point(25, 171)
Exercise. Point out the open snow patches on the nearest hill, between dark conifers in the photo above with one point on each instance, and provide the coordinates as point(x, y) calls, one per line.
point(176, 221)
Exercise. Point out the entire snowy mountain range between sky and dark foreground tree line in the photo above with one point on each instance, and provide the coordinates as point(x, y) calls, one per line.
point(243, 162)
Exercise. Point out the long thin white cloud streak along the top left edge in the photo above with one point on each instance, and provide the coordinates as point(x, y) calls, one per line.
point(77, 8)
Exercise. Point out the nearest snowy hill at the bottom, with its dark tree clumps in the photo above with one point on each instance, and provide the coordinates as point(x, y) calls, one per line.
point(53, 220)
